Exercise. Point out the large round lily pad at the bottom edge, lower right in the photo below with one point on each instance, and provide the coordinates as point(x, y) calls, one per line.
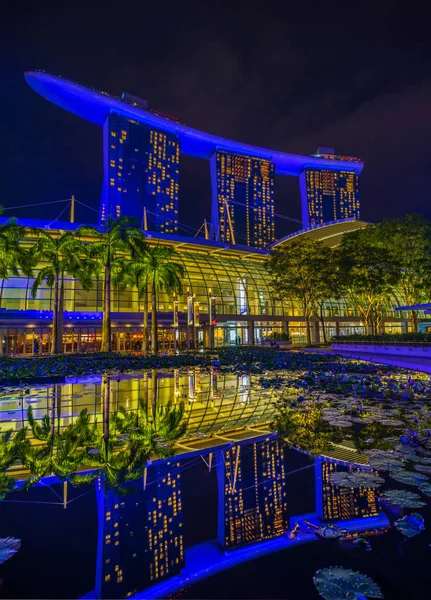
point(336, 583)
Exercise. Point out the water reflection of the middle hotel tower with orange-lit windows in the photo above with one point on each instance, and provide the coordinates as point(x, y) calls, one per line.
point(252, 493)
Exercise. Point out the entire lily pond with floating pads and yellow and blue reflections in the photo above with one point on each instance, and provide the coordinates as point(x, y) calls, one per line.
point(233, 492)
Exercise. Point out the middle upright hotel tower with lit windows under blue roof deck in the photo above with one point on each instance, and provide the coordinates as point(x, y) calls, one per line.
point(244, 186)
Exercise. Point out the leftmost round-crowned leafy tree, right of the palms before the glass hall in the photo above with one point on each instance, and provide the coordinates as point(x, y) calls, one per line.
point(296, 273)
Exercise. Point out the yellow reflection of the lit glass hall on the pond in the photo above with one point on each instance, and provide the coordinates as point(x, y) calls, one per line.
point(213, 401)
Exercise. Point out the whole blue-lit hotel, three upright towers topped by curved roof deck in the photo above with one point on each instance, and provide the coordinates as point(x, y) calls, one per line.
point(329, 184)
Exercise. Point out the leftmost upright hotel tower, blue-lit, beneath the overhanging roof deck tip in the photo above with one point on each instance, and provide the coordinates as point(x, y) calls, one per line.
point(141, 170)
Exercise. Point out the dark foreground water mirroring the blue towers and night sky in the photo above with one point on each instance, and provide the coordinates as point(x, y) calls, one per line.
point(191, 528)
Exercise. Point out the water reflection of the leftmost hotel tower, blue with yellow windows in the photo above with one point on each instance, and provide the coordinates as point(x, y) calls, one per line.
point(140, 536)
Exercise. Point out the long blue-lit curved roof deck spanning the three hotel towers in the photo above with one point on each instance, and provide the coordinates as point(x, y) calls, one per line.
point(94, 106)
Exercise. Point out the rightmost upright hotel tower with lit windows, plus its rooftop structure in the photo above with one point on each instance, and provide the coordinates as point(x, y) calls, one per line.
point(329, 194)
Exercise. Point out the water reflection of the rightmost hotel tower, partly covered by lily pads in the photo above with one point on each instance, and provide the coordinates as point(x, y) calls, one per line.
point(341, 503)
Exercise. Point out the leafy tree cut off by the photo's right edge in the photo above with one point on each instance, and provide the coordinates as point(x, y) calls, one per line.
point(408, 240)
